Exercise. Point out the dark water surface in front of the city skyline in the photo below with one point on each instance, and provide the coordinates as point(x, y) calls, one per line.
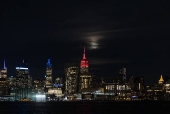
point(86, 107)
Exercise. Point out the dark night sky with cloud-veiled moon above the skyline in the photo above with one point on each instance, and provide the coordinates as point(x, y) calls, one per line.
point(114, 33)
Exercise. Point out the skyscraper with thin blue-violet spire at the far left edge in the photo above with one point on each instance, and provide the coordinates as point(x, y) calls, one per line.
point(3, 80)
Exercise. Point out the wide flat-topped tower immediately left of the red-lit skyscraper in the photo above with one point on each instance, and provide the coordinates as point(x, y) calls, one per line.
point(71, 74)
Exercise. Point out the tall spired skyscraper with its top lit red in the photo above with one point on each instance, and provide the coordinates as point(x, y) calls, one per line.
point(85, 77)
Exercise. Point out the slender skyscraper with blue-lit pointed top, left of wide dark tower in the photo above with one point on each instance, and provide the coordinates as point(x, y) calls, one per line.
point(48, 76)
